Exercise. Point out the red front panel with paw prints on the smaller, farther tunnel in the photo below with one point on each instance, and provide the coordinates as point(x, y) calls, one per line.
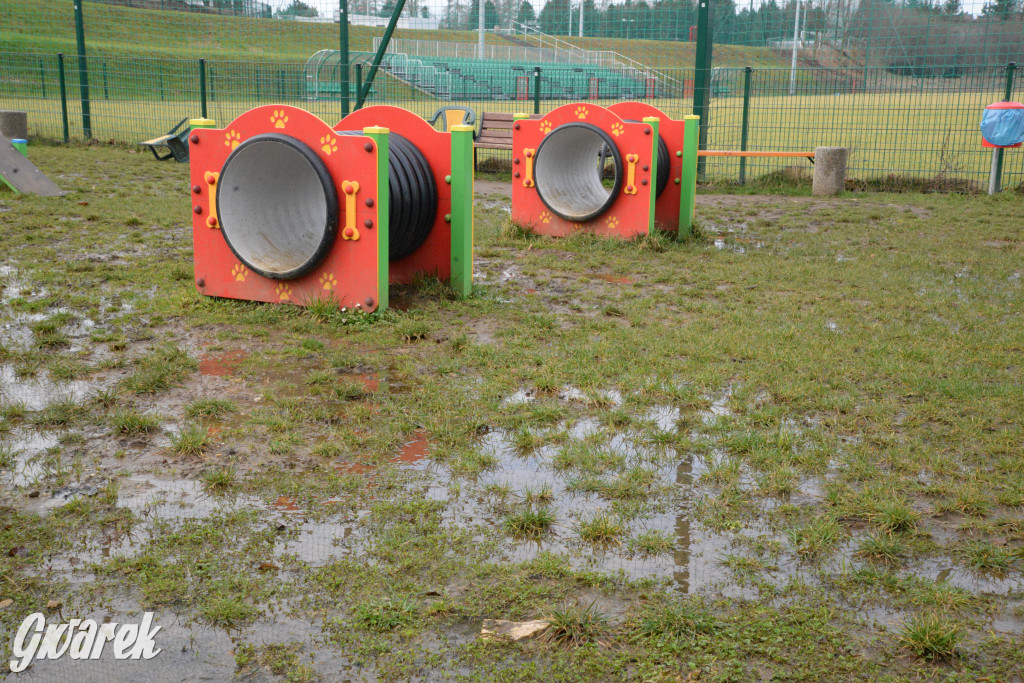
point(629, 216)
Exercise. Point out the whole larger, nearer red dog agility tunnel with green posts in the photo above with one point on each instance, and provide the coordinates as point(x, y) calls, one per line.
point(289, 209)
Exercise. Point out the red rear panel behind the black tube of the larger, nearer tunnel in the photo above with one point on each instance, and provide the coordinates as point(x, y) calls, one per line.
point(434, 258)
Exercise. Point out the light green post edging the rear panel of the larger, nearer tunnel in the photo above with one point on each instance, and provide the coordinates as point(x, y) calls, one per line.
point(462, 210)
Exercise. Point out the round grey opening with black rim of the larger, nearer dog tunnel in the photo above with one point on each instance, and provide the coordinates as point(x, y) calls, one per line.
point(277, 206)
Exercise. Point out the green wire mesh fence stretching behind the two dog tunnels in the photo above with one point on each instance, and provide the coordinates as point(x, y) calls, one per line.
point(903, 84)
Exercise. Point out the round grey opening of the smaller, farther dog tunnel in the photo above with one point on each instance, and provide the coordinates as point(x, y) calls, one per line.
point(570, 170)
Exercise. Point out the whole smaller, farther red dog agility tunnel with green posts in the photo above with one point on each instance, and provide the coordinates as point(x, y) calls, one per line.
point(606, 170)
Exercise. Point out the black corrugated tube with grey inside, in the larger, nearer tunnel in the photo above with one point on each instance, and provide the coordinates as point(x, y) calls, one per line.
point(278, 205)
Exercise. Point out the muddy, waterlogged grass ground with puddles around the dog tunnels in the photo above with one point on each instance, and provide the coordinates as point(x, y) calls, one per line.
point(876, 468)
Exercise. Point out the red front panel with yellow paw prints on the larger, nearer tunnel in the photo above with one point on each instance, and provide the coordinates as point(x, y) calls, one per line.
point(349, 274)
